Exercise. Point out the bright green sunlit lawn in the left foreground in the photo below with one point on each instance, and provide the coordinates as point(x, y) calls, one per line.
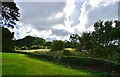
point(20, 64)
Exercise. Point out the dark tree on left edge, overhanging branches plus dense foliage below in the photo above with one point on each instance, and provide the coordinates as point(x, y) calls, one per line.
point(9, 17)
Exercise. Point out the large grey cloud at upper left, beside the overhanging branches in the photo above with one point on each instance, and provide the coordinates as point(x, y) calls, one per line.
point(41, 15)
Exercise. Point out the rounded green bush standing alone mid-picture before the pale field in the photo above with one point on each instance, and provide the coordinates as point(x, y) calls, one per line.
point(57, 45)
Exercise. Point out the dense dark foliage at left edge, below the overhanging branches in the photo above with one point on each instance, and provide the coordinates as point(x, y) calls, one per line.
point(7, 42)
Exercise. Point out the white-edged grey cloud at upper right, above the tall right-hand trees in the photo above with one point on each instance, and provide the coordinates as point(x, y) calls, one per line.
point(94, 10)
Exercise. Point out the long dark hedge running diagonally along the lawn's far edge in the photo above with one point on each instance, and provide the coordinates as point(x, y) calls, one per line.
point(79, 62)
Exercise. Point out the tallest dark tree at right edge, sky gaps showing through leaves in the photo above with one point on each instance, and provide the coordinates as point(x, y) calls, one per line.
point(106, 38)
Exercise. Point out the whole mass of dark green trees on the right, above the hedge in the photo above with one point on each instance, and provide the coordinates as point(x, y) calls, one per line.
point(103, 42)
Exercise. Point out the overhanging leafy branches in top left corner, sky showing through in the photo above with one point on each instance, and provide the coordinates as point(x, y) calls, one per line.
point(10, 13)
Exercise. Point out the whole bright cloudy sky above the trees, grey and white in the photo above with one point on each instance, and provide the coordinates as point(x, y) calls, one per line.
point(56, 20)
